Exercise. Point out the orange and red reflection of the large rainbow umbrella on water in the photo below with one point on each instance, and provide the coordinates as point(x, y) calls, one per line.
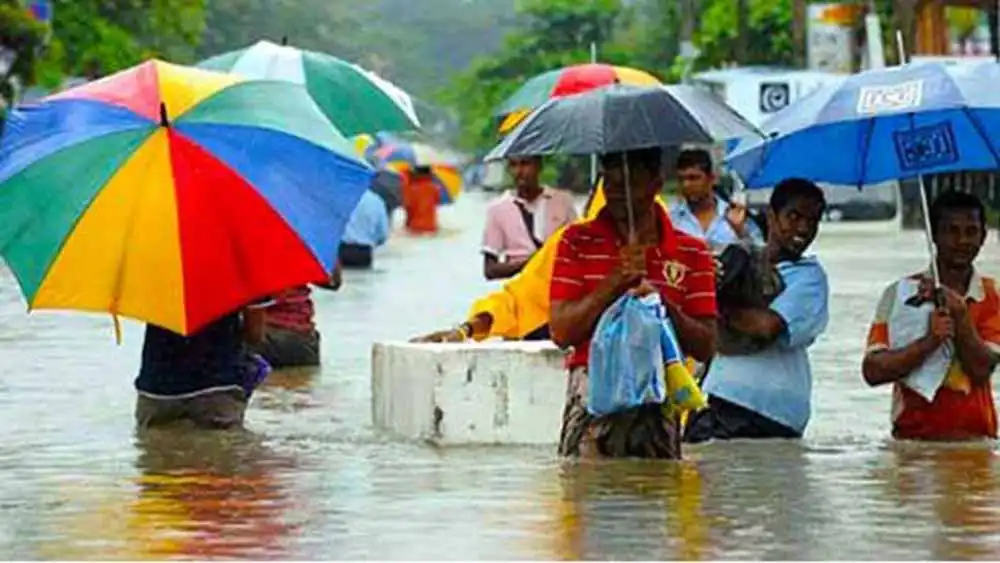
point(210, 495)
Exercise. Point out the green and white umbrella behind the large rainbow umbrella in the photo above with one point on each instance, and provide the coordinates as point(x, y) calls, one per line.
point(354, 99)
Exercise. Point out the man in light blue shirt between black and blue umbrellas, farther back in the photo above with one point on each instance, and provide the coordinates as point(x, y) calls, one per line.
point(700, 212)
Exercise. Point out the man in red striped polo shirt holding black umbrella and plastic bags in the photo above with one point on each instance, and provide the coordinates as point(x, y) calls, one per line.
point(599, 261)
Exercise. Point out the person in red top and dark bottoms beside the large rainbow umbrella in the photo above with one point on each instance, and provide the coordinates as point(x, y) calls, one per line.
point(291, 338)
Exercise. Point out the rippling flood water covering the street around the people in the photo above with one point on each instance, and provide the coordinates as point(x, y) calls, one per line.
point(311, 478)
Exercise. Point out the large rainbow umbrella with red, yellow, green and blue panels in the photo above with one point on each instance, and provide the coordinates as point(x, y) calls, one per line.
point(173, 195)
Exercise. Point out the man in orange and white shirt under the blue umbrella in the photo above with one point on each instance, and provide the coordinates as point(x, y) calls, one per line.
point(967, 319)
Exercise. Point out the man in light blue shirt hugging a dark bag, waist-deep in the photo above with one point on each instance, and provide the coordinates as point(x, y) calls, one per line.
point(767, 394)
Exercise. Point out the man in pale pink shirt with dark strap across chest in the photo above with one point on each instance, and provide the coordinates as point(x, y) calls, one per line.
point(519, 222)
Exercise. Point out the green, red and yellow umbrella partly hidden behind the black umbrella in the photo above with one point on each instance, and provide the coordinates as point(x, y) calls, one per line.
point(566, 81)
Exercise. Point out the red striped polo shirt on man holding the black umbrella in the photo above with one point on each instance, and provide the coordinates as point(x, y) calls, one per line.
point(681, 267)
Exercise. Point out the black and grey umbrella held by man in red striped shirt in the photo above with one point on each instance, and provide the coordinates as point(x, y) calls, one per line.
point(621, 118)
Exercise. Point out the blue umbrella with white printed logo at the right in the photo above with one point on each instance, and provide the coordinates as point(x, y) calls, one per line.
point(881, 125)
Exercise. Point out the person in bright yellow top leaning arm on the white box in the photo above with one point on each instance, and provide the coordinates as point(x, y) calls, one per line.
point(521, 307)
